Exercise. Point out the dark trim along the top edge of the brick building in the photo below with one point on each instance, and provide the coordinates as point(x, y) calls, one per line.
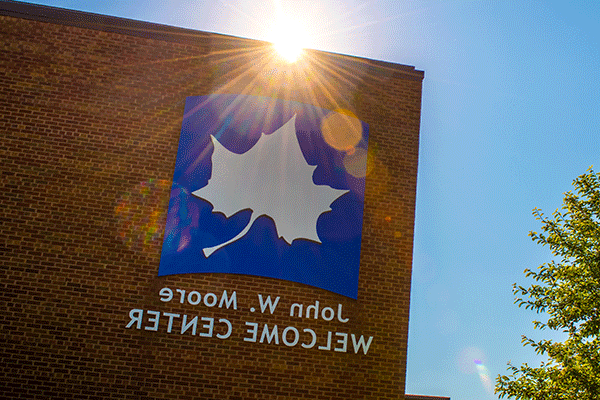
point(151, 30)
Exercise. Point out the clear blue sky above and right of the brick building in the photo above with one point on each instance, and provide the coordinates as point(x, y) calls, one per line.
point(510, 116)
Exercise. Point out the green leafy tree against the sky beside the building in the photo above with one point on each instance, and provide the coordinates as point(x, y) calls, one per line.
point(567, 290)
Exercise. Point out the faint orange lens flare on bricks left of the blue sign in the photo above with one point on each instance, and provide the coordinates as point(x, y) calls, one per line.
point(141, 213)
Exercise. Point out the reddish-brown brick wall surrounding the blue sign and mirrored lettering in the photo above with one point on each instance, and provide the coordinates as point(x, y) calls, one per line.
point(90, 118)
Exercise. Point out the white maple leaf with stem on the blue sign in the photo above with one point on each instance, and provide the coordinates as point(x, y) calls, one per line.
point(273, 179)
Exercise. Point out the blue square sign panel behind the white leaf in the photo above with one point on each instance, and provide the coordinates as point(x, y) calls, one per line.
point(270, 188)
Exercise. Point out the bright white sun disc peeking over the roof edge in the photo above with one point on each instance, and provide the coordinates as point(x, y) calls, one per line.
point(289, 38)
